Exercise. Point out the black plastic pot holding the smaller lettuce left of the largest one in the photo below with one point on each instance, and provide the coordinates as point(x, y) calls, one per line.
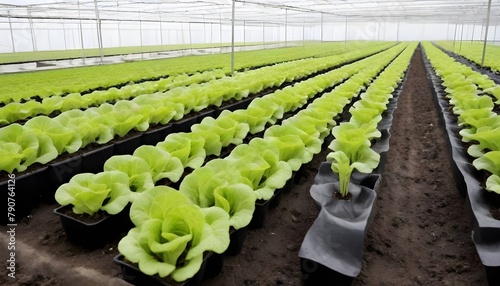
point(94, 235)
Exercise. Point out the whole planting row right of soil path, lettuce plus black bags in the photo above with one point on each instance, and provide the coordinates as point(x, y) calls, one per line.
point(474, 134)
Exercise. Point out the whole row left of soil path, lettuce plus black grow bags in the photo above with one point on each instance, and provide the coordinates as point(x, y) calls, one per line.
point(333, 247)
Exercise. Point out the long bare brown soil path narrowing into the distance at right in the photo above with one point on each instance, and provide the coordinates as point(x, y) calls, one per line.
point(421, 234)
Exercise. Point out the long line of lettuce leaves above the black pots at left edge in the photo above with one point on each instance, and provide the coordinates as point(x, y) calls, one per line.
point(42, 139)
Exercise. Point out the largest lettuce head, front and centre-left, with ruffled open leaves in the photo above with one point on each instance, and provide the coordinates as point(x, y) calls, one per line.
point(172, 234)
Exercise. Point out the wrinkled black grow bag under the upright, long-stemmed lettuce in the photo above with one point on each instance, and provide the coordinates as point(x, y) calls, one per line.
point(332, 249)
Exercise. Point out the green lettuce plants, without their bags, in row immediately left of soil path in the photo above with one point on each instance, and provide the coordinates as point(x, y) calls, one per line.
point(351, 146)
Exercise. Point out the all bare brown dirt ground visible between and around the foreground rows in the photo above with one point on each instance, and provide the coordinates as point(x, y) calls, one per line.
point(420, 235)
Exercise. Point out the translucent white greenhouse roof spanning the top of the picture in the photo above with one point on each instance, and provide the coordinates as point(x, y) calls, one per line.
point(292, 12)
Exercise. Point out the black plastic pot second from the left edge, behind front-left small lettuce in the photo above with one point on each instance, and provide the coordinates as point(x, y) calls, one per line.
point(59, 173)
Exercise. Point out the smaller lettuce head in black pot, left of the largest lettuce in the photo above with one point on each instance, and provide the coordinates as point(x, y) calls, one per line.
point(89, 193)
